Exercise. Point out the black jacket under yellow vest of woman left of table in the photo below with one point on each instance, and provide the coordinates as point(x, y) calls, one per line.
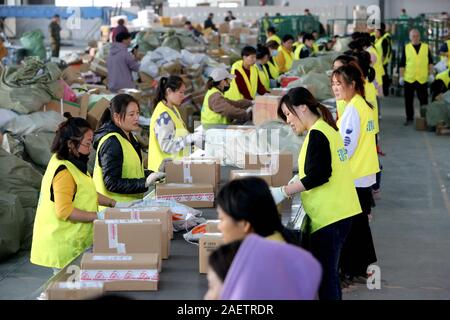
point(111, 160)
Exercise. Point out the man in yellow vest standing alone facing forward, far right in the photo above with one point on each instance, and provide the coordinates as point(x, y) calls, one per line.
point(416, 69)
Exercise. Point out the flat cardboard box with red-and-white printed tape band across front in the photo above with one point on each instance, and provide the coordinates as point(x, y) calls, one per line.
point(130, 272)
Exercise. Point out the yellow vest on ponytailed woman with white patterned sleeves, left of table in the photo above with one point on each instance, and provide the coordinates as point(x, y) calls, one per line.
point(155, 155)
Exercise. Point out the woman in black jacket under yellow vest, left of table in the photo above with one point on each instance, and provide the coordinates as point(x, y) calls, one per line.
point(119, 170)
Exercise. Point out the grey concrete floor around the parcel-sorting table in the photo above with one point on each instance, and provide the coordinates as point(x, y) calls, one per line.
point(411, 224)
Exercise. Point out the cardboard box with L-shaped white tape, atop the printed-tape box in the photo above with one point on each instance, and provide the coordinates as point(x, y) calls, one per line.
point(135, 236)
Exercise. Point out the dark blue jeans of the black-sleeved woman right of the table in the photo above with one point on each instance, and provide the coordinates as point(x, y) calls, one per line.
point(326, 245)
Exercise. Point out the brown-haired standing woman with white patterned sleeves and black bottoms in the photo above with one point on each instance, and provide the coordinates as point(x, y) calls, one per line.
point(358, 131)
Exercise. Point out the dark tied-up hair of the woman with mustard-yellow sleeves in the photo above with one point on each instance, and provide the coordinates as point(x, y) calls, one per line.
point(73, 129)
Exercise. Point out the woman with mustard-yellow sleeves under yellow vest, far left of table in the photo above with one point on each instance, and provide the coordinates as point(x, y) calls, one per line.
point(68, 200)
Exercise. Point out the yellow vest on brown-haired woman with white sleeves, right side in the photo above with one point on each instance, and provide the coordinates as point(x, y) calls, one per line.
point(364, 160)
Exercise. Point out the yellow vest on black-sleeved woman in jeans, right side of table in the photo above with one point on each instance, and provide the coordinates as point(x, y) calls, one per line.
point(337, 199)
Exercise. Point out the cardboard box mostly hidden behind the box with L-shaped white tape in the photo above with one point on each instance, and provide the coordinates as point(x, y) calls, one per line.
point(163, 214)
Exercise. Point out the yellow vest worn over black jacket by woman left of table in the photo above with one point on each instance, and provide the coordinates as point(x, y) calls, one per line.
point(132, 168)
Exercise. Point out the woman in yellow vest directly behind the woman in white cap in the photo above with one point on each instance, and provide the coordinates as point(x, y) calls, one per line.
point(247, 82)
